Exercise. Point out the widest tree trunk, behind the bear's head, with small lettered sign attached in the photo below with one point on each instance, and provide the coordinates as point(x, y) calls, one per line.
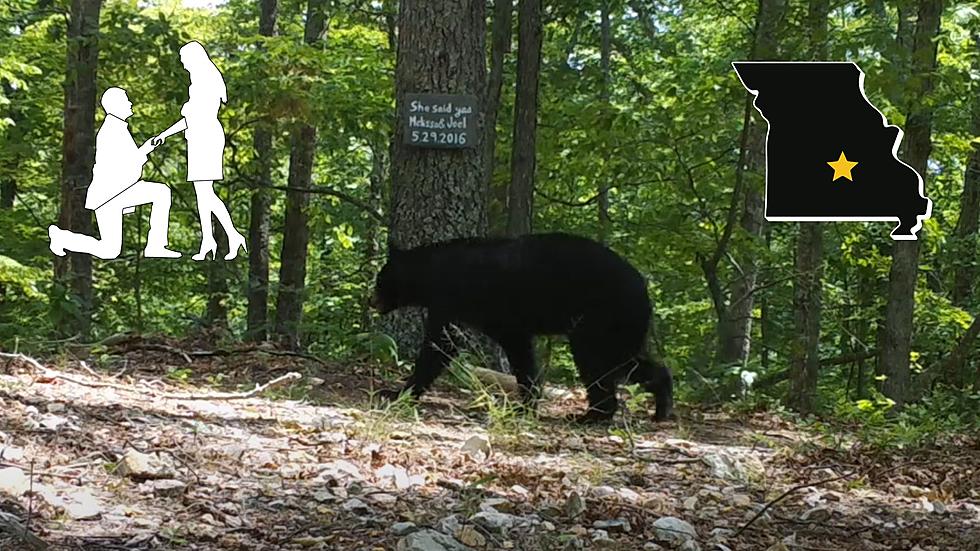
point(437, 194)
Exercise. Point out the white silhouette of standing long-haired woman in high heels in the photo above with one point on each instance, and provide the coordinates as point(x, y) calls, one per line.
point(205, 145)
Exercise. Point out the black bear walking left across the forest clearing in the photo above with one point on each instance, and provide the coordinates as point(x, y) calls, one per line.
point(513, 289)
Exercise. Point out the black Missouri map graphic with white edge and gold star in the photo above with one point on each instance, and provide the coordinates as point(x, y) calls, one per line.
point(830, 153)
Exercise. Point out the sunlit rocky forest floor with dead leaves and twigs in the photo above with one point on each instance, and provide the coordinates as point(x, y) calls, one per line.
point(152, 451)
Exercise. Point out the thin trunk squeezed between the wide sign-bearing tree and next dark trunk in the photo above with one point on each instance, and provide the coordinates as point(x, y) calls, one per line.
point(499, 47)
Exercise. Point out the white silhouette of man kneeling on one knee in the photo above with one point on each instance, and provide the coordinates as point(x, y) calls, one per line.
point(117, 189)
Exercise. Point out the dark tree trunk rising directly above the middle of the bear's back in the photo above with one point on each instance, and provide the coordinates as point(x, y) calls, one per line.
point(520, 203)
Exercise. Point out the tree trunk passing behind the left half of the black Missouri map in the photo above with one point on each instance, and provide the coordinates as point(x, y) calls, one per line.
point(808, 283)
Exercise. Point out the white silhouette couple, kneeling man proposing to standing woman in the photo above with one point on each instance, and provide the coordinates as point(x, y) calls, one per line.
point(117, 187)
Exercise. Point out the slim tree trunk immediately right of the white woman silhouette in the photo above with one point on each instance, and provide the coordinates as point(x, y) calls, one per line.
point(257, 294)
